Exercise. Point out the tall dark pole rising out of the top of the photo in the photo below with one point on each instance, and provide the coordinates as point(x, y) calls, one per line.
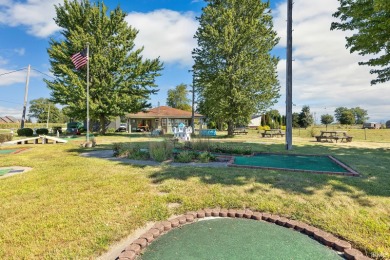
point(289, 77)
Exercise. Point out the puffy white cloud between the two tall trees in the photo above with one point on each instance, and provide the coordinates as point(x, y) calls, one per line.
point(166, 34)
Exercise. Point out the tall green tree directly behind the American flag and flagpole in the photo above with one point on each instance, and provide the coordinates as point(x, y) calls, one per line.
point(121, 80)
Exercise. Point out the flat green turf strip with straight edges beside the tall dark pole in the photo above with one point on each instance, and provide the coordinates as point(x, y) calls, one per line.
point(296, 162)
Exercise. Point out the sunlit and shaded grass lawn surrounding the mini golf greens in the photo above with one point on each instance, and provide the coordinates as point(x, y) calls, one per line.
point(74, 207)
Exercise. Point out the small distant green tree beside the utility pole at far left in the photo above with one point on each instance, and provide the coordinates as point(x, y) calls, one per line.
point(42, 109)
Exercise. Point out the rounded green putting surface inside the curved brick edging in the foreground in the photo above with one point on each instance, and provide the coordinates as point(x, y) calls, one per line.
point(224, 238)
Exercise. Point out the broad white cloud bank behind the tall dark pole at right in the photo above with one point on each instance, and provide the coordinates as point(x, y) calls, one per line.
point(325, 74)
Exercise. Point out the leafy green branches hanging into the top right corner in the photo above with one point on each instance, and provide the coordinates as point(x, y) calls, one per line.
point(370, 21)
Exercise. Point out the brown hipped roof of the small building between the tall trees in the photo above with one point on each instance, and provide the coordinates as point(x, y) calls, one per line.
point(164, 111)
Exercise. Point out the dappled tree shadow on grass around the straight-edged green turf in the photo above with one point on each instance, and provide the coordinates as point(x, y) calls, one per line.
point(372, 164)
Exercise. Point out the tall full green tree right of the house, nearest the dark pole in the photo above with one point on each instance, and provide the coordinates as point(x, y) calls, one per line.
point(234, 72)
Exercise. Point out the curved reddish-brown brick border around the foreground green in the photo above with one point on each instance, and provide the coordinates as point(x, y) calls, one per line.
point(160, 228)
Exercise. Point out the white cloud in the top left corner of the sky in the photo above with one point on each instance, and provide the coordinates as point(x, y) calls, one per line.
point(36, 15)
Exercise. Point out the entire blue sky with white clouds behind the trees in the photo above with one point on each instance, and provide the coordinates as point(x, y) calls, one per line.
point(325, 74)
